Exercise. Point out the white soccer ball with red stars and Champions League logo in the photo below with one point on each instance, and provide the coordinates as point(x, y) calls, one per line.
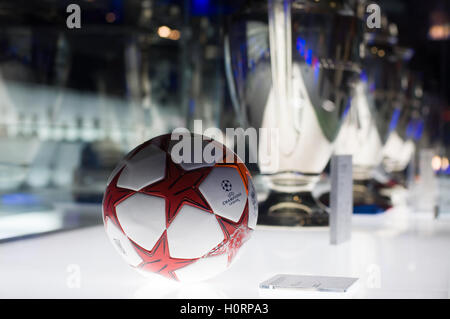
point(185, 220)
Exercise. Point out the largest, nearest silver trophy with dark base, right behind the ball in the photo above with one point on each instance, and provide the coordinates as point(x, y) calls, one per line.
point(292, 68)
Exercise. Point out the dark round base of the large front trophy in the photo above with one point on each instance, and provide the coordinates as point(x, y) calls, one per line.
point(291, 209)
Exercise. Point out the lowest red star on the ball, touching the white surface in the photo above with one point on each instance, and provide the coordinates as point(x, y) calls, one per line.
point(159, 260)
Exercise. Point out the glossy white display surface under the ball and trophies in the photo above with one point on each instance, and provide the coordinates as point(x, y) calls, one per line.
point(398, 254)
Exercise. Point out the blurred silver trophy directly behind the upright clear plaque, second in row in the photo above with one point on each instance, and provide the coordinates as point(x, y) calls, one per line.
point(374, 112)
